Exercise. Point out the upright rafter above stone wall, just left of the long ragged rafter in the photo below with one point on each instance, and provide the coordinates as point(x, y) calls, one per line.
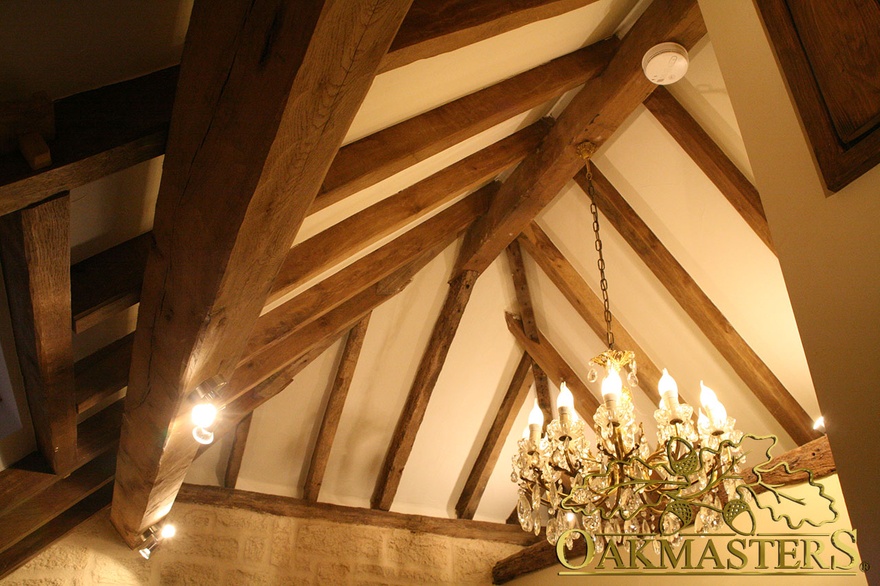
point(333, 411)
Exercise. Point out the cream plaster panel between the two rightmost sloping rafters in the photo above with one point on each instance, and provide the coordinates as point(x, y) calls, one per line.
point(712, 242)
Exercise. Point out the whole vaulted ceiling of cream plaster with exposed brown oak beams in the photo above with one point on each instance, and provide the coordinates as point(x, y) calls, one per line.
point(422, 160)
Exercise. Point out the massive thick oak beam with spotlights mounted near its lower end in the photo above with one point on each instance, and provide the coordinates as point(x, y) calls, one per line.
point(287, 83)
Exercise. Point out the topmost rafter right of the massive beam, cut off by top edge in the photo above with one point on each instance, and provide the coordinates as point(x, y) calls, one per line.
point(433, 27)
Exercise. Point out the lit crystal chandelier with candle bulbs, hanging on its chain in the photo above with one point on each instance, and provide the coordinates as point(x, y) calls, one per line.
point(623, 487)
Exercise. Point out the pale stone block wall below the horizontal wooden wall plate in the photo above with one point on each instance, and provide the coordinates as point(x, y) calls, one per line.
point(220, 546)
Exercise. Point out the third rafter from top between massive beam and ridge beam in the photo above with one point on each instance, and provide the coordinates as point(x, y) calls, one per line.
point(322, 251)
